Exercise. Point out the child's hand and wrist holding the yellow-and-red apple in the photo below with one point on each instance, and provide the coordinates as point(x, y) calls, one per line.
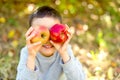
point(32, 47)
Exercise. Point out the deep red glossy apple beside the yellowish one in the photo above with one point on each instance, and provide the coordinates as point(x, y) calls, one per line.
point(58, 33)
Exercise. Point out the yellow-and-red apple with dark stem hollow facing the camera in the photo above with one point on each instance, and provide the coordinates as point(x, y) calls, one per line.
point(42, 34)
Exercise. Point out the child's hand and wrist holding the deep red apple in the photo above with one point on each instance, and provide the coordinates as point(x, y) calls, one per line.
point(62, 48)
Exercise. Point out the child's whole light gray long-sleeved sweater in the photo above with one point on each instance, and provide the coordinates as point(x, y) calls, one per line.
point(50, 68)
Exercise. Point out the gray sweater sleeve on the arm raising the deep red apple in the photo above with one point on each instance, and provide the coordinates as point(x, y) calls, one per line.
point(73, 68)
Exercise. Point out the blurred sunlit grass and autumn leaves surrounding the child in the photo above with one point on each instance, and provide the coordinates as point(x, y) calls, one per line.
point(96, 40)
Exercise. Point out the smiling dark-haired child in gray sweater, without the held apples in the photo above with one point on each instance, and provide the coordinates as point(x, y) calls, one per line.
point(50, 61)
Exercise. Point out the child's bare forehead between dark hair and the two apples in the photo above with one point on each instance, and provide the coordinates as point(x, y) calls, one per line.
point(45, 21)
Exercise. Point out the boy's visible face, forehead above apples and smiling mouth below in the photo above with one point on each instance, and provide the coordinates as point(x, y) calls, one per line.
point(47, 49)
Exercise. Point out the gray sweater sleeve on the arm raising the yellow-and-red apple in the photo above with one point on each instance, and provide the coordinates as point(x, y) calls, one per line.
point(23, 72)
